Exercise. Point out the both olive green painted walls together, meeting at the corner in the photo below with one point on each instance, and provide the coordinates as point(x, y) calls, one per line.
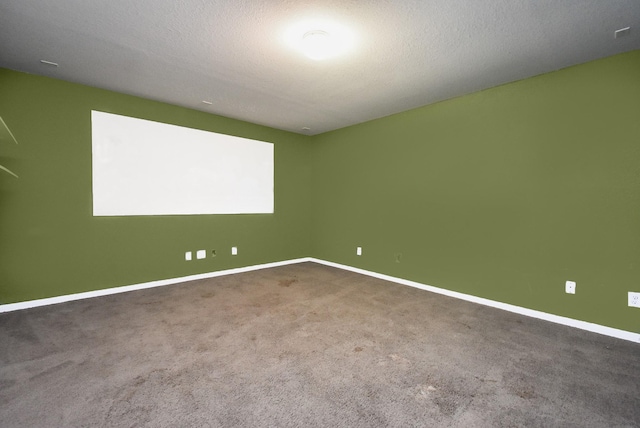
point(503, 194)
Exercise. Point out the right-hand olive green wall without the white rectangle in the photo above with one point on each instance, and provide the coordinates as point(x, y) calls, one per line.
point(503, 194)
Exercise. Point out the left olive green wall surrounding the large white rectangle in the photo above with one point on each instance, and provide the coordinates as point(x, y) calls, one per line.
point(50, 244)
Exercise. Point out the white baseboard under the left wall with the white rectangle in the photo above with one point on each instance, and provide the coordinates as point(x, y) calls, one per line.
point(10, 307)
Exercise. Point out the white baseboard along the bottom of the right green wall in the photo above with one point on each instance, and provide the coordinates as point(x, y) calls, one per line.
point(583, 325)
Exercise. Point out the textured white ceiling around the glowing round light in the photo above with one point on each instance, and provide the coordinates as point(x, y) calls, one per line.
point(407, 53)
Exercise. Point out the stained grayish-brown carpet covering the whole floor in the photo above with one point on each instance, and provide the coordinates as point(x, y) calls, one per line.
point(306, 345)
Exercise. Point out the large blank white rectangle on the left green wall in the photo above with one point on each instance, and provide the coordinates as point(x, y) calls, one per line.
point(142, 167)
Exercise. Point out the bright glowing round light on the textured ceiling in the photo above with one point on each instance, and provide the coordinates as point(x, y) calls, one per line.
point(319, 39)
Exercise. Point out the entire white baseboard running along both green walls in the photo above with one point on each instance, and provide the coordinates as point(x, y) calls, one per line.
point(583, 325)
